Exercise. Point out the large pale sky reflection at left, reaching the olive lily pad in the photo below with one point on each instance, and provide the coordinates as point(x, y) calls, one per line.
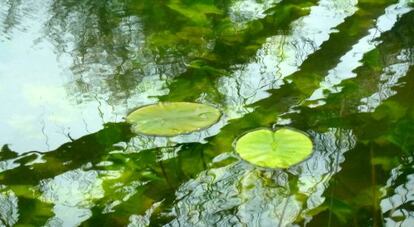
point(37, 110)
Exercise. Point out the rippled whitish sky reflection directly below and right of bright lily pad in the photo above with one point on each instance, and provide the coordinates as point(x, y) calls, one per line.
point(239, 193)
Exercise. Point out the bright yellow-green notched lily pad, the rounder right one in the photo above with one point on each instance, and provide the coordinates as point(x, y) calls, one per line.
point(280, 149)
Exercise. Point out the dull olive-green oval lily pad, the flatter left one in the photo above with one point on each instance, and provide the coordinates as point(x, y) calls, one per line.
point(173, 118)
